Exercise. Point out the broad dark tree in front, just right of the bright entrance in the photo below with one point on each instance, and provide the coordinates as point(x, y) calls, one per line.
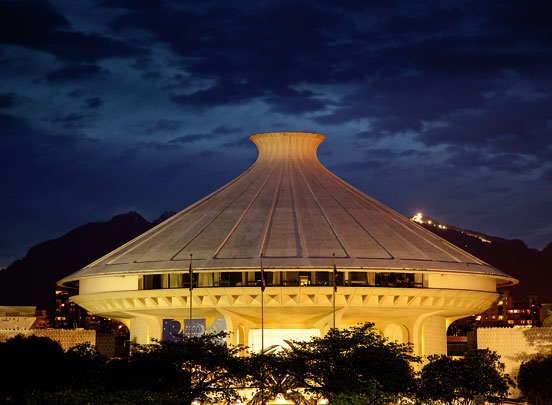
point(355, 362)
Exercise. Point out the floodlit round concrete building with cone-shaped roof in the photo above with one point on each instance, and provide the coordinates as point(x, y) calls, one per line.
point(302, 219)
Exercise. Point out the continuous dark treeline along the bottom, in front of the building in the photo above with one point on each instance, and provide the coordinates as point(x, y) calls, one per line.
point(352, 366)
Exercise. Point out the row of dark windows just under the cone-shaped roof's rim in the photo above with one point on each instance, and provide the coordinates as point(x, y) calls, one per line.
point(280, 279)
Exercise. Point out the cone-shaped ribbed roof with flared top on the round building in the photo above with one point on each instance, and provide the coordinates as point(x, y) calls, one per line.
point(295, 212)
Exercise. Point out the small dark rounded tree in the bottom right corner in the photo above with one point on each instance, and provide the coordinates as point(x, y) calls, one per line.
point(535, 379)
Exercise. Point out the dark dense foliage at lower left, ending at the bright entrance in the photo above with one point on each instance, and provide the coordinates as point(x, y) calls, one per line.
point(201, 368)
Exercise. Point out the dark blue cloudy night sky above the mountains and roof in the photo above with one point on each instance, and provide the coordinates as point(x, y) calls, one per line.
point(108, 106)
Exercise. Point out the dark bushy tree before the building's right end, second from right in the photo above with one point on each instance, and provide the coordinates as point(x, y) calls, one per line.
point(449, 381)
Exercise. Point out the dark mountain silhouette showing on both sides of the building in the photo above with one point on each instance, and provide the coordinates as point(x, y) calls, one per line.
point(32, 279)
